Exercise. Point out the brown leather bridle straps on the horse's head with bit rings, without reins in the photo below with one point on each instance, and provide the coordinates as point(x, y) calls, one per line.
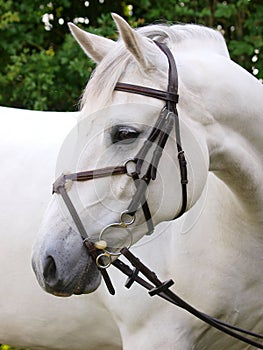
point(157, 139)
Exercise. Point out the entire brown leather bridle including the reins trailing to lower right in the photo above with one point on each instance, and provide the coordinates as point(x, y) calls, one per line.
point(100, 253)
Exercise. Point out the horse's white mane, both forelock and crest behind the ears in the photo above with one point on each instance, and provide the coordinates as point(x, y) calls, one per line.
point(176, 37)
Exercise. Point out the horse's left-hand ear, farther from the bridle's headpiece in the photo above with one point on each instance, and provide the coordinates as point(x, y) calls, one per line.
point(96, 47)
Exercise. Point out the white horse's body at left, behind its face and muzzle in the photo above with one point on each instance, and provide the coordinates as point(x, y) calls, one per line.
point(30, 142)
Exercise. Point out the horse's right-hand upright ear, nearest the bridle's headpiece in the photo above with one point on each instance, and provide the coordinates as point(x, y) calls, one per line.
point(134, 42)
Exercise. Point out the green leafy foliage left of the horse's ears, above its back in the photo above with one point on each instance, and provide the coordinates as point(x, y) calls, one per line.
point(38, 55)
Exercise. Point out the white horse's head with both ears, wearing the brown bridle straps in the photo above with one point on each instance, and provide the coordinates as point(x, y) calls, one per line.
point(112, 133)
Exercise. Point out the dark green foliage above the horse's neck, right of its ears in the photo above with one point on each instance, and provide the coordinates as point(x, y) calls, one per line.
point(241, 22)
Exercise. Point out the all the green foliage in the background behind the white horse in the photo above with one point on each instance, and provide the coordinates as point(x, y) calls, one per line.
point(43, 68)
